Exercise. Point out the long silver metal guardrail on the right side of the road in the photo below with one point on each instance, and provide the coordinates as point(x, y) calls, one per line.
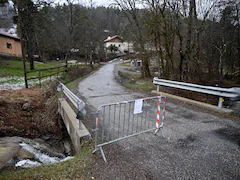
point(232, 93)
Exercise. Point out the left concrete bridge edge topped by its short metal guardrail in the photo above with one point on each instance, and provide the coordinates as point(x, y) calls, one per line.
point(73, 121)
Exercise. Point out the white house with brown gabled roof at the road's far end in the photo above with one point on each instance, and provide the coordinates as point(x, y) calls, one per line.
point(123, 47)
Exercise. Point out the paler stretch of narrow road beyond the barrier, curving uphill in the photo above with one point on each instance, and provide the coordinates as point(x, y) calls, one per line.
point(101, 88)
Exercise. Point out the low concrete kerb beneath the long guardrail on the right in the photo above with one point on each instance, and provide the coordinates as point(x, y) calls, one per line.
point(197, 103)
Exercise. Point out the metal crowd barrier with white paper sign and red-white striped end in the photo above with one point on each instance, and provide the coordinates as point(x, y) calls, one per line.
point(121, 120)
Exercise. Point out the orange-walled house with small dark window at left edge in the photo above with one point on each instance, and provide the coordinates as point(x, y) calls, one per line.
point(10, 45)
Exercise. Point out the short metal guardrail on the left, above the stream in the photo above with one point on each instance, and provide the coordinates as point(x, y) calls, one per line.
point(78, 103)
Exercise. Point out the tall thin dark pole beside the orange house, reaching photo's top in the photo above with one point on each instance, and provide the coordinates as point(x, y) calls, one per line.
point(21, 40)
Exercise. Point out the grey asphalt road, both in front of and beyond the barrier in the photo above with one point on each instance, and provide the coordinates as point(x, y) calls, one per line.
point(199, 145)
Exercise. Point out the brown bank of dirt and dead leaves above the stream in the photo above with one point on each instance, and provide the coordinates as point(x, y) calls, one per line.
point(24, 112)
